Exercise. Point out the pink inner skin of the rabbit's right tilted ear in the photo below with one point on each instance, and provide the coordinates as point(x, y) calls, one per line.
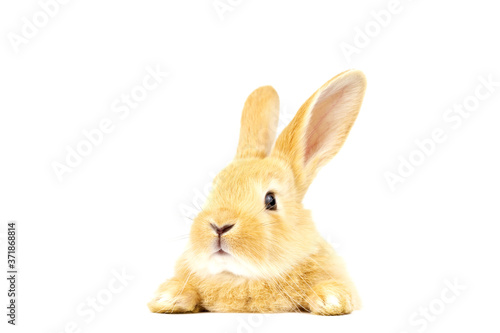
point(324, 122)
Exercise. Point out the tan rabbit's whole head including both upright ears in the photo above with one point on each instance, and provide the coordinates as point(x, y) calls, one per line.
point(253, 223)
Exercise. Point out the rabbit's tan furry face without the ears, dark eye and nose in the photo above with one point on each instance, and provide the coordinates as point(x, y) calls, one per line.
point(253, 224)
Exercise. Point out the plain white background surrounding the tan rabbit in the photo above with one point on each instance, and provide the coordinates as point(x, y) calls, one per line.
point(121, 207)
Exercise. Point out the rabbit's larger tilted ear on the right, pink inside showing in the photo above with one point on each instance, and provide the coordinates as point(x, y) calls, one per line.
point(320, 127)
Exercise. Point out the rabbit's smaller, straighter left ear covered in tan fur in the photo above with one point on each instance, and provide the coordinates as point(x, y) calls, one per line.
point(259, 123)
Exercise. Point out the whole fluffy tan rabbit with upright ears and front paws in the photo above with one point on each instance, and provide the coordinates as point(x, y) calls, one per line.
point(254, 247)
